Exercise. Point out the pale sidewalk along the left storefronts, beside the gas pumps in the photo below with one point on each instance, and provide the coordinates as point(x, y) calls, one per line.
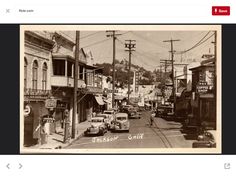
point(55, 140)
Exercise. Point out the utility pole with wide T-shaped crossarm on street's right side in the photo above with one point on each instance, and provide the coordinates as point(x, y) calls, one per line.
point(172, 63)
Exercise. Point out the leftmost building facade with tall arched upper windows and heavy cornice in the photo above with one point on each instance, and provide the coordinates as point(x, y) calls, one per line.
point(37, 87)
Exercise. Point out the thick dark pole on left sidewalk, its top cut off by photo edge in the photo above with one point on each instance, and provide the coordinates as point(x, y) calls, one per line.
point(75, 84)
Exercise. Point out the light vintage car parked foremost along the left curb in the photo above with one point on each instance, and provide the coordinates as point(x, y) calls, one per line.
point(98, 126)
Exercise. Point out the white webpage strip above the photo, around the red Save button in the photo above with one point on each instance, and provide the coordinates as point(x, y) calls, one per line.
point(120, 11)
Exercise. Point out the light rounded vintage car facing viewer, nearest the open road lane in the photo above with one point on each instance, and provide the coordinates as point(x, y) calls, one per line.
point(121, 122)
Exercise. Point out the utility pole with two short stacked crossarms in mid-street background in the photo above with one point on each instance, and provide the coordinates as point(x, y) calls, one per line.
point(130, 46)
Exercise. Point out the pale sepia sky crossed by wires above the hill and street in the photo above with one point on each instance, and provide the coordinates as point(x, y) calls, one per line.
point(150, 48)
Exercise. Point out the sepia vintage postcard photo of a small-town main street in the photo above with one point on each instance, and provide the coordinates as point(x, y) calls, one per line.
point(119, 89)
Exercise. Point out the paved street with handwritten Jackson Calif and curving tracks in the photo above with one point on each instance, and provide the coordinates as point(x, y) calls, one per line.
point(163, 134)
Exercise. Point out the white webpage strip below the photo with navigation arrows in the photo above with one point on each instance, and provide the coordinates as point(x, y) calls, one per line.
point(118, 165)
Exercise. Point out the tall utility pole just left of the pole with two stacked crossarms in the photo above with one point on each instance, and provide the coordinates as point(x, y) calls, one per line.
point(112, 33)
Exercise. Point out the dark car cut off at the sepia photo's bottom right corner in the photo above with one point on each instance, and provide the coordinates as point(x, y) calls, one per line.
point(206, 140)
